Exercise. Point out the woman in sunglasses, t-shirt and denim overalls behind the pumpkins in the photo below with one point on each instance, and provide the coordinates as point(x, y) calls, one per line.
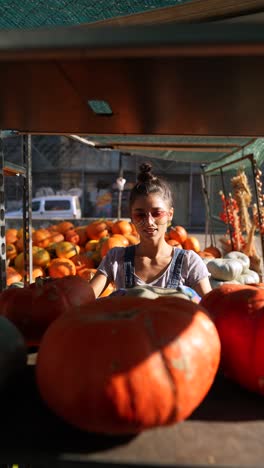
point(153, 261)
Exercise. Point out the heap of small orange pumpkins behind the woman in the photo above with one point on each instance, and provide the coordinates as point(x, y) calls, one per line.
point(63, 249)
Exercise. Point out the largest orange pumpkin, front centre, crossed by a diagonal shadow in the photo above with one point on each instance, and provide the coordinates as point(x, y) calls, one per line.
point(167, 349)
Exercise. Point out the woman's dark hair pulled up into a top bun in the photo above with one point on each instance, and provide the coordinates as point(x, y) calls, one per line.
point(149, 183)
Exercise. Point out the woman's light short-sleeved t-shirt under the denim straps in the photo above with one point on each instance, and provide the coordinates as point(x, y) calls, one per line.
point(193, 270)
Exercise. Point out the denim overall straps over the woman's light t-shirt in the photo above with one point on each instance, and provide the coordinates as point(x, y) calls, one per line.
point(176, 266)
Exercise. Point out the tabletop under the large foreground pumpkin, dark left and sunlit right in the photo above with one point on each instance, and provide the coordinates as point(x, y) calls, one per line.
point(227, 429)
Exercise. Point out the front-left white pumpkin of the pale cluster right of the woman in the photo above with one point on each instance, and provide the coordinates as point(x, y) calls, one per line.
point(226, 269)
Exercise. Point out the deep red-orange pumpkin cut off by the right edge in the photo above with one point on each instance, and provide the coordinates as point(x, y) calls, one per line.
point(238, 313)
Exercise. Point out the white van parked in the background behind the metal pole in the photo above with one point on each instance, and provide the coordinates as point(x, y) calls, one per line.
point(52, 207)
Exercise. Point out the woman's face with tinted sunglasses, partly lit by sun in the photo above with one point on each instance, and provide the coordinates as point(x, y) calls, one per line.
point(150, 214)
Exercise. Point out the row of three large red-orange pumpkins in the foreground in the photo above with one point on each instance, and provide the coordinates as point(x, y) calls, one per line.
point(121, 365)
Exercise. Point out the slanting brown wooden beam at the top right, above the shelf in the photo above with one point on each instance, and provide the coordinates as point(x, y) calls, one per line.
point(191, 12)
